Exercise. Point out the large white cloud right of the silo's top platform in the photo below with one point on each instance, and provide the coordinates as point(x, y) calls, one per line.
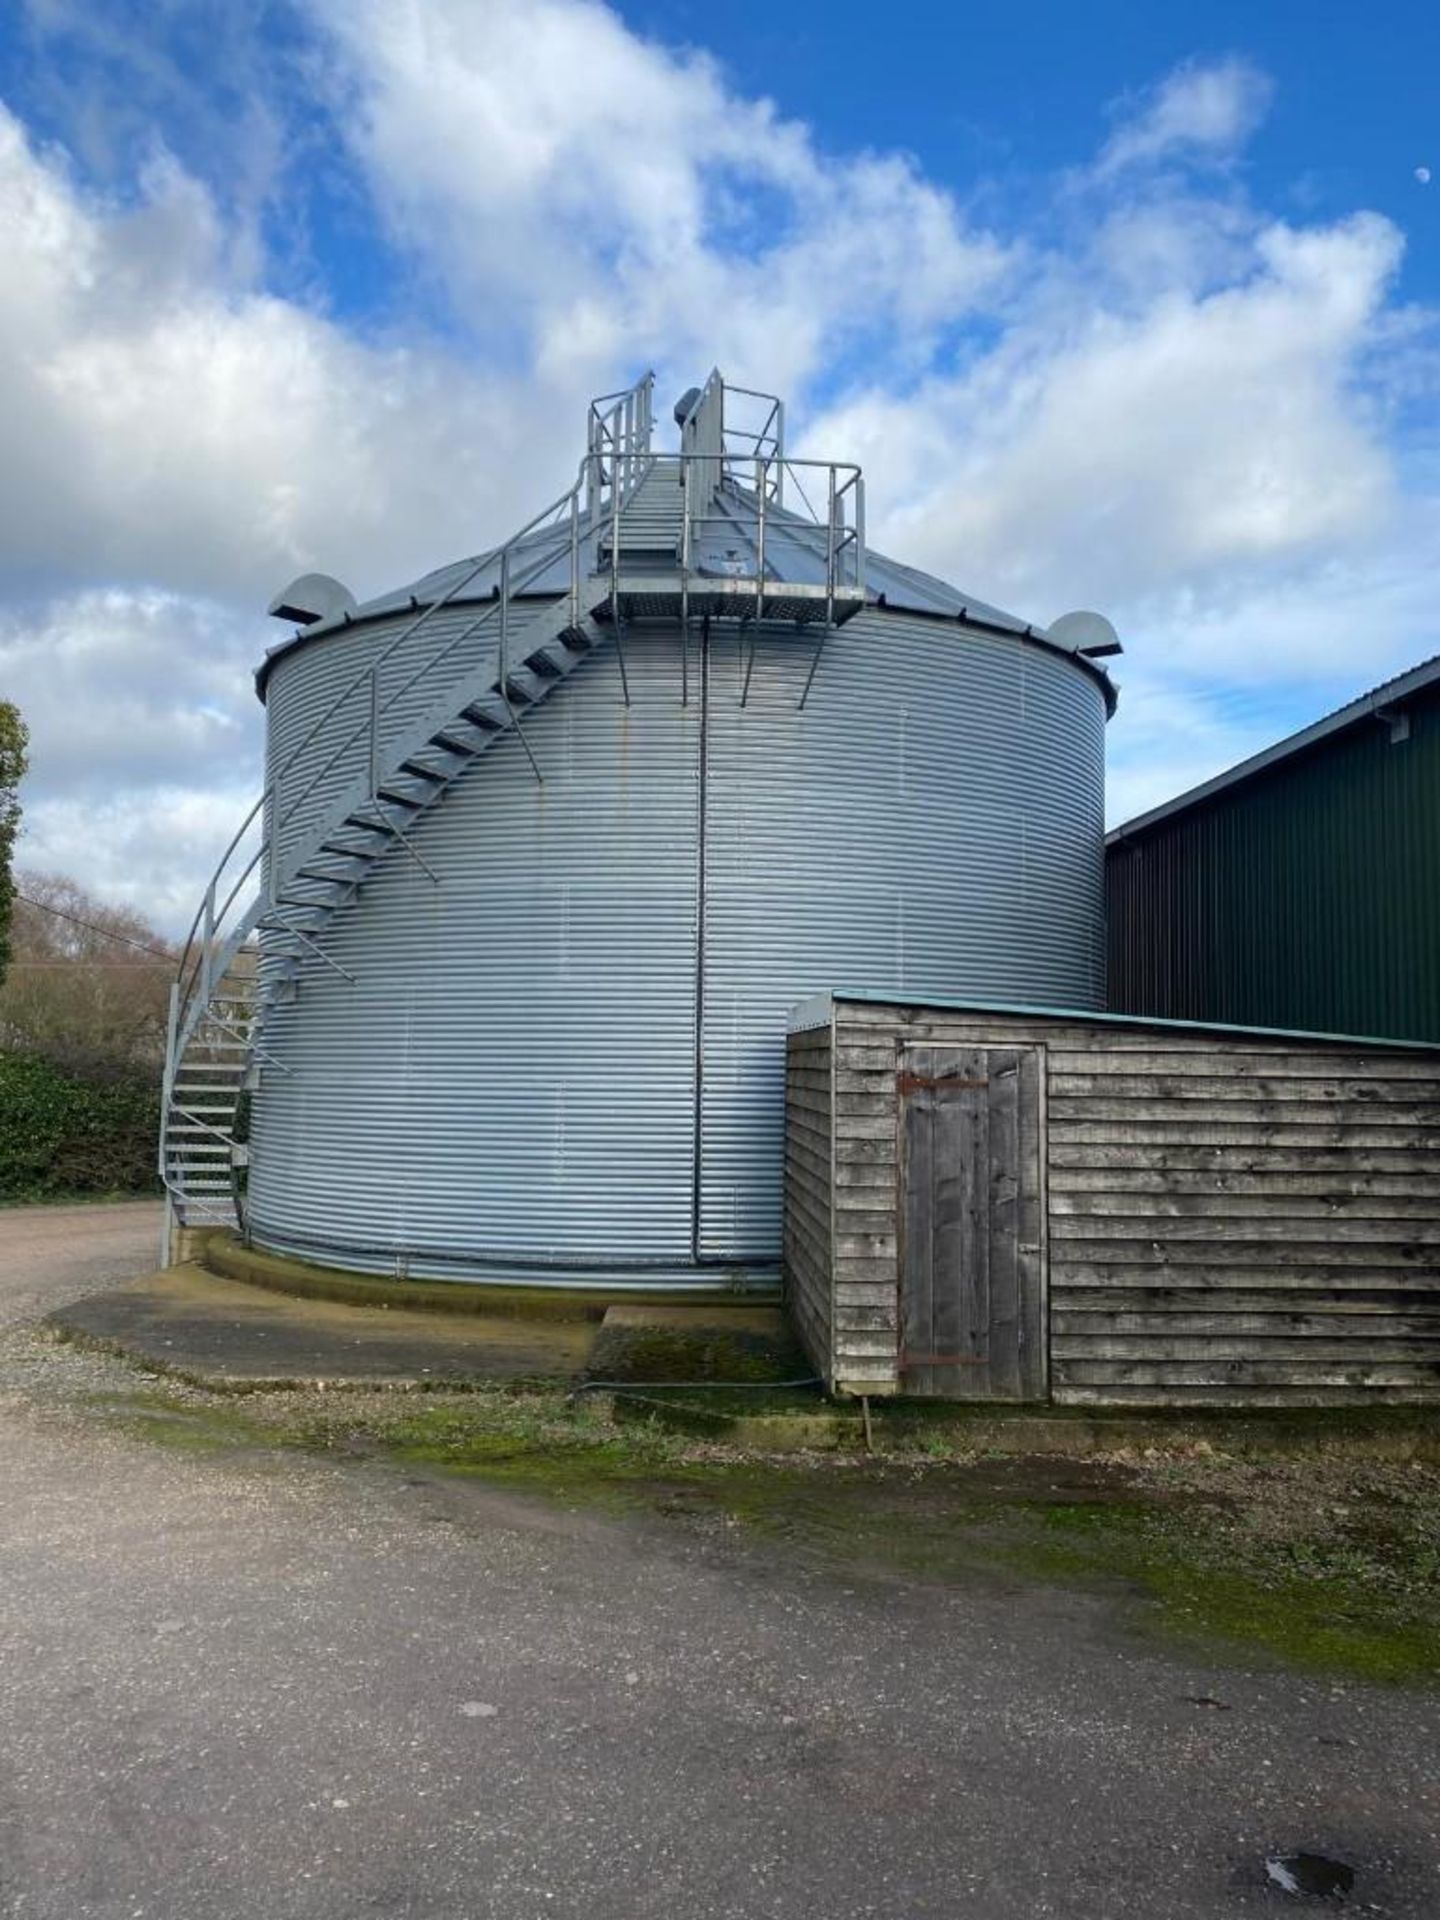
point(1186, 448)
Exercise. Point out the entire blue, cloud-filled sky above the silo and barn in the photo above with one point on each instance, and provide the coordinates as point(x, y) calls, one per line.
point(1120, 306)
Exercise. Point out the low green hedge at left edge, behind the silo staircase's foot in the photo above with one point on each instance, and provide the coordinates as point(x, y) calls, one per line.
point(68, 1136)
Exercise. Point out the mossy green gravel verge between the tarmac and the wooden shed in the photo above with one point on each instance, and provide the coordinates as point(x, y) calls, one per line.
point(1326, 1566)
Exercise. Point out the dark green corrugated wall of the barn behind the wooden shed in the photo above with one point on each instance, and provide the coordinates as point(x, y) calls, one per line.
point(1307, 898)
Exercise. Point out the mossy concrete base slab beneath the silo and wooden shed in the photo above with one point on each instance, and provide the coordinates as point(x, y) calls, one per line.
point(228, 1326)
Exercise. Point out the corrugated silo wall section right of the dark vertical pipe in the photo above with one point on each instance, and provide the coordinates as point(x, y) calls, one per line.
point(930, 825)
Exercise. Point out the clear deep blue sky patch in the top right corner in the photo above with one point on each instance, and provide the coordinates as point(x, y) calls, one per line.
point(1015, 95)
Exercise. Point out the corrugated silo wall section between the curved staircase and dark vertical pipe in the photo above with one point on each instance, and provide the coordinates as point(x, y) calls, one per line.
point(514, 1072)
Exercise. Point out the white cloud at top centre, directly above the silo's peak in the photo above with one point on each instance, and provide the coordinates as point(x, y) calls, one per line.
point(619, 203)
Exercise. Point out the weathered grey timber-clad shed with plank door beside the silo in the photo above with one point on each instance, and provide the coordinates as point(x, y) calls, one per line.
point(1209, 1216)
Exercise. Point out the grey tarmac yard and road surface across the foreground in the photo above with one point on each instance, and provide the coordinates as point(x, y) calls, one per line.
point(266, 1687)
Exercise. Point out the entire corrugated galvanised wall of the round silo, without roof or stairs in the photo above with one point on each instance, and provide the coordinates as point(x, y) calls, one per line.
point(514, 1074)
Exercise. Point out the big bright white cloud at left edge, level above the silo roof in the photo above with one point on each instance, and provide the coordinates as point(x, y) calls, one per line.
point(185, 429)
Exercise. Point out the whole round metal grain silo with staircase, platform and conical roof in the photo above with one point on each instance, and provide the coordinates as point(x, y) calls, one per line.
point(552, 840)
